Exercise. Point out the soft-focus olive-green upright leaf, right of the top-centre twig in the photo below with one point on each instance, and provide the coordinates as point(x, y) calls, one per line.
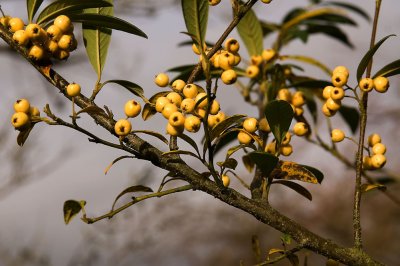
point(250, 31)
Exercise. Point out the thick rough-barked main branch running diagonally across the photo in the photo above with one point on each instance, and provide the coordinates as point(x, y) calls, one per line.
point(173, 163)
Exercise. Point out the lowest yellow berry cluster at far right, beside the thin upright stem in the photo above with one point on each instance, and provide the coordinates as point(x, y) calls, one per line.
point(378, 158)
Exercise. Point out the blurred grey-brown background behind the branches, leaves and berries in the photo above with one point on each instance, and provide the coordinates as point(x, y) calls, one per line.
point(190, 228)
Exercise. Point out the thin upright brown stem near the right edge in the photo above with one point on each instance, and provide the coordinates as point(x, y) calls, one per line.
point(363, 105)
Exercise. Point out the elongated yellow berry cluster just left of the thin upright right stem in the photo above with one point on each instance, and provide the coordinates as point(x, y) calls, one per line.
point(334, 94)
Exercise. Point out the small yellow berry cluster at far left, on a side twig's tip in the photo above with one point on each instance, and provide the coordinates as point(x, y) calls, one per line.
point(23, 115)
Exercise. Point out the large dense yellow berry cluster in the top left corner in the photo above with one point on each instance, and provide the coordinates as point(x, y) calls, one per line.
point(56, 41)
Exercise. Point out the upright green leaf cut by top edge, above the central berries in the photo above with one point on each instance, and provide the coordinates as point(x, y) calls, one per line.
point(195, 13)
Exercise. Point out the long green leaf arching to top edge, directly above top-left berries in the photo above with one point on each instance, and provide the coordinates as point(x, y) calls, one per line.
point(67, 7)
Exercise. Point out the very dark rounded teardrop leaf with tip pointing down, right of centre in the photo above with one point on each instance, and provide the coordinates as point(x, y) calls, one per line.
point(279, 115)
